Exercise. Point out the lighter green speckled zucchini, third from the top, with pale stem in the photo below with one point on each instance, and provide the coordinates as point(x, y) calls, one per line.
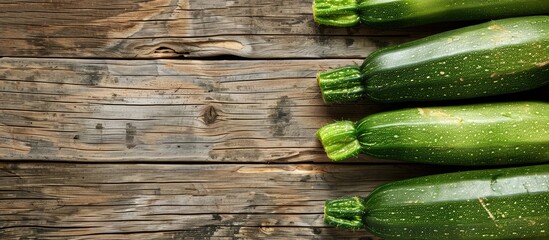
point(478, 134)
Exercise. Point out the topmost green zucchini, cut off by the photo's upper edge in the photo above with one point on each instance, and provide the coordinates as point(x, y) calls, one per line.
point(405, 13)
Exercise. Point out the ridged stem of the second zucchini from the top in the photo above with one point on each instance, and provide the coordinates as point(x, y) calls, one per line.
point(341, 85)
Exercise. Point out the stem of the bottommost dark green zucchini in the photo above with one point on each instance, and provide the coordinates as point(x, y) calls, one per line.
point(345, 213)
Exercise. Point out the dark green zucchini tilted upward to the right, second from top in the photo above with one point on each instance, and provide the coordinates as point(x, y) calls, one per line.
point(498, 57)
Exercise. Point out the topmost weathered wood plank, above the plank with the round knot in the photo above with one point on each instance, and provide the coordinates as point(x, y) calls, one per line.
point(184, 28)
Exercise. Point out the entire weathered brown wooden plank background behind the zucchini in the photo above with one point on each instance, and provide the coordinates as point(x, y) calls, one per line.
point(170, 119)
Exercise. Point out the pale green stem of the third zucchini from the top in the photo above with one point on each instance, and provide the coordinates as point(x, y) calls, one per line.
point(339, 140)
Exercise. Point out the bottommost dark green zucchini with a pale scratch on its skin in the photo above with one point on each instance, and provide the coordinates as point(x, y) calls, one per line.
point(511, 203)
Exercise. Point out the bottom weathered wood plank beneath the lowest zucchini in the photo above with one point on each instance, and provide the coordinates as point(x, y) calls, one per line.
point(104, 201)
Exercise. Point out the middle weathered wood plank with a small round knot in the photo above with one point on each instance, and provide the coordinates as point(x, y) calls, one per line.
point(165, 110)
